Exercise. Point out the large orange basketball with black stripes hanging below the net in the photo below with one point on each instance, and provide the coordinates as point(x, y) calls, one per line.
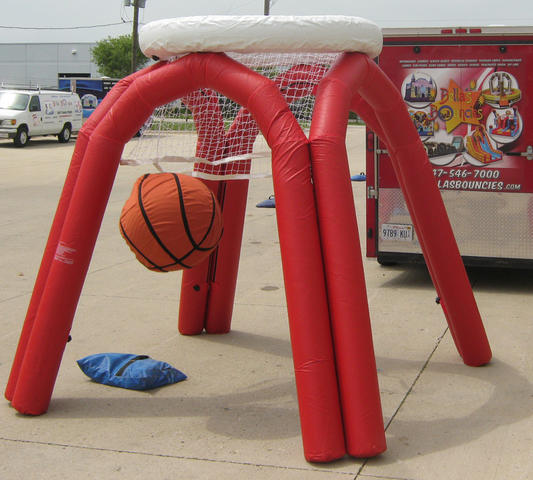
point(171, 221)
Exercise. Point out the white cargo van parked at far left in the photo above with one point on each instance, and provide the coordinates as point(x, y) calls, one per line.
point(28, 113)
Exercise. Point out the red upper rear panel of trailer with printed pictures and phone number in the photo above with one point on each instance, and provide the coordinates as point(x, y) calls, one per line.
point(470, 112)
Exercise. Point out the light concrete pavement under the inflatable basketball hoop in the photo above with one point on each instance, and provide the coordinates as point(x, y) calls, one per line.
point(236, 416)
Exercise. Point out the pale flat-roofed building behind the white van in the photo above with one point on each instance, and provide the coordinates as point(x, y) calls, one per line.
point(40, 64)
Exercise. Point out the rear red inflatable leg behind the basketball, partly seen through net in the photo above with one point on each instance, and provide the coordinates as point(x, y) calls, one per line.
point(208, 290)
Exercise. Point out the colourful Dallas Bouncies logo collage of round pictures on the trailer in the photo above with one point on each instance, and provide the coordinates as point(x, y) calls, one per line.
point(479, 105)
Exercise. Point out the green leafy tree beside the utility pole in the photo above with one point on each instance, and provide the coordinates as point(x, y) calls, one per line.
point(113, 56)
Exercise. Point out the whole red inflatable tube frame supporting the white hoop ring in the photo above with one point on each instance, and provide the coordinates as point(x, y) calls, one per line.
point(329, 322)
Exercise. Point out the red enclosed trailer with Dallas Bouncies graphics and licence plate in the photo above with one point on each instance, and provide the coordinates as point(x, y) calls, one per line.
point(469, 92)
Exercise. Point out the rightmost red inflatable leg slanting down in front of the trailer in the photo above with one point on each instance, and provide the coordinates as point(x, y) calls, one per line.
point(425, 205)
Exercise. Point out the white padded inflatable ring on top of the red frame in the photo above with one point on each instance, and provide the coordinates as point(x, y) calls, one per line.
point(260, 33)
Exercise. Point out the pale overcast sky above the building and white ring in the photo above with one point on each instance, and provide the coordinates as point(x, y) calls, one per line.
point(30, 21)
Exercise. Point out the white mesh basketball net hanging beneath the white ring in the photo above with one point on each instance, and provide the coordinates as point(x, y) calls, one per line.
point(219, 136)
